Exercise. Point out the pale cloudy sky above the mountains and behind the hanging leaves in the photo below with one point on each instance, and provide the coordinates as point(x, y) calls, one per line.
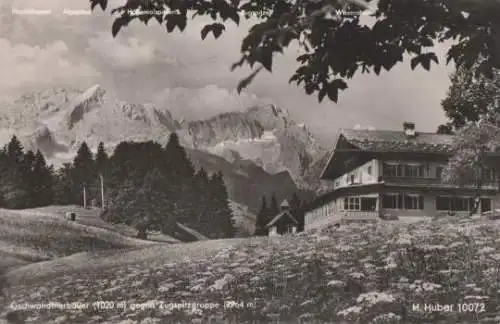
point(191, 77)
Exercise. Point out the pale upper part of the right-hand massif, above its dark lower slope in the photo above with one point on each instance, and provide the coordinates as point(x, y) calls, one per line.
point(264, 134)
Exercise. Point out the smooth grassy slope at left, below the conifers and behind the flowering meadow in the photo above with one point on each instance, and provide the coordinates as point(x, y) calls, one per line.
point(40, 234)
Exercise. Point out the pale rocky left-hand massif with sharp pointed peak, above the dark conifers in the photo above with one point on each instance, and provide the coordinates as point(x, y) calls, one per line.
point(58, 120)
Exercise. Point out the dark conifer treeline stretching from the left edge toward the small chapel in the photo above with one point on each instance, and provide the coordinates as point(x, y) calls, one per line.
point(146, 186)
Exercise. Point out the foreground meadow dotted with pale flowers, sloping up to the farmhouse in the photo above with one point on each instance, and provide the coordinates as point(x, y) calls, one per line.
point(436, 271)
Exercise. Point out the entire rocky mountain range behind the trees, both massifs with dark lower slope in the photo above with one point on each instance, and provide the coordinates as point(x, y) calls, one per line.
point(260, 150)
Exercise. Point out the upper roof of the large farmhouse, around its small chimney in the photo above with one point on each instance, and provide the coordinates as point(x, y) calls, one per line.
point(397, 141)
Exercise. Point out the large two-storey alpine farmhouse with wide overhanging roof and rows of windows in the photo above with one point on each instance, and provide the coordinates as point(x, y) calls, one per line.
point(382, 174)
